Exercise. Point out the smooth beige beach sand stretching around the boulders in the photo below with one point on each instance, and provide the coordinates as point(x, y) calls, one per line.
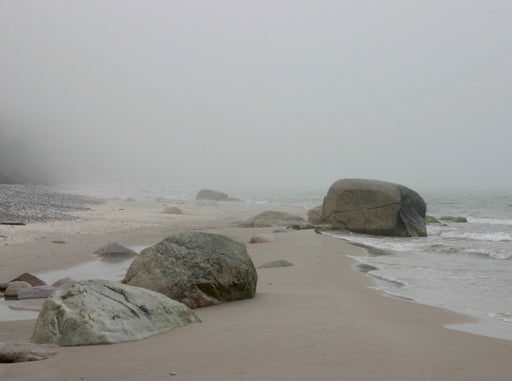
point(317, 320)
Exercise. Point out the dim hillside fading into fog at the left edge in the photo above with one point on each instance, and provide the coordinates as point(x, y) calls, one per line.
point(17, 166)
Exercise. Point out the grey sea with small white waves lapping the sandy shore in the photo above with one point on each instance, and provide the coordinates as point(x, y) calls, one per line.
point(464, 267)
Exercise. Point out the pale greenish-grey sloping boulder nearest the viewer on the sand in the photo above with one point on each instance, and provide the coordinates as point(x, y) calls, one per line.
point(105, 312)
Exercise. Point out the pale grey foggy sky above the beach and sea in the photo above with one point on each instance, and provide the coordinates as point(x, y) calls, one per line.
point(262, 94)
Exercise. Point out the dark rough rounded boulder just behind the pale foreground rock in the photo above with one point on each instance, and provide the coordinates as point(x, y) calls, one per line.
point(195, 268)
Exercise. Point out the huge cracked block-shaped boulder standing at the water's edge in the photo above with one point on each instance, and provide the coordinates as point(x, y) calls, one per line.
point(374, 207)
